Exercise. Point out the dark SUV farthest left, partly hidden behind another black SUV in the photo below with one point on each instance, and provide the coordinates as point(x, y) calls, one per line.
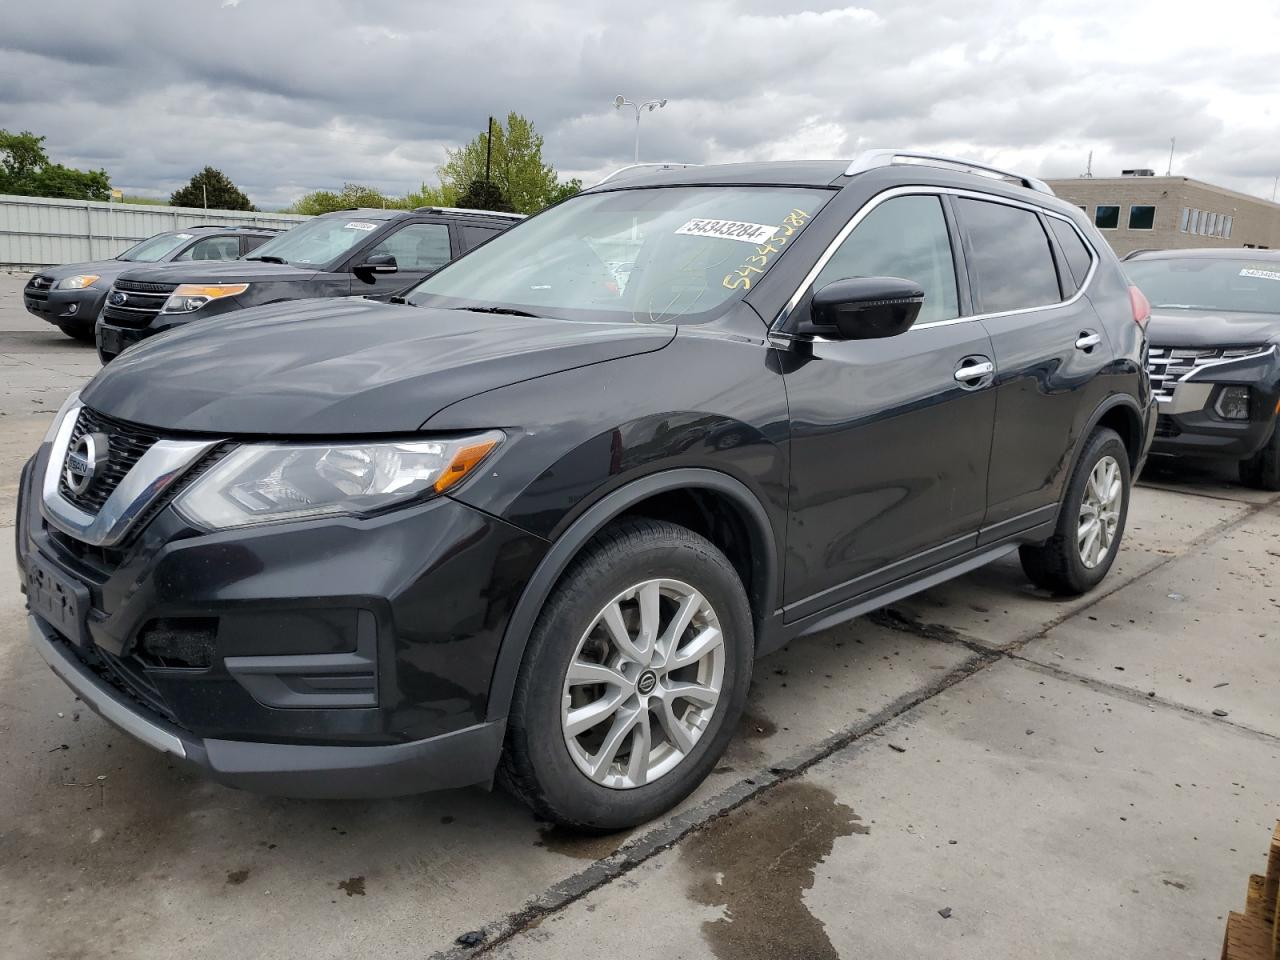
point(72, 296)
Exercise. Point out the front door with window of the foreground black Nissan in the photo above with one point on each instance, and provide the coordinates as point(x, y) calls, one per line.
point(892, 438)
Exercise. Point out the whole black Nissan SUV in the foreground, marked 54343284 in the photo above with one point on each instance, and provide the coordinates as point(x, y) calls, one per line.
point(541, 516)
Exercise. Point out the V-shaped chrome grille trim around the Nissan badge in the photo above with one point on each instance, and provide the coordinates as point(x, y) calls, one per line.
point(150, 477)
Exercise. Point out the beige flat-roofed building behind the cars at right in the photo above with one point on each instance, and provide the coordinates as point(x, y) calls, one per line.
point(1163, 213)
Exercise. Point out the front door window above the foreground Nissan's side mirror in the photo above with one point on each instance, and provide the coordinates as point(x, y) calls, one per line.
point(903, 237)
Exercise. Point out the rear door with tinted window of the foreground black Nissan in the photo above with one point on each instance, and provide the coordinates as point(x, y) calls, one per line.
point(1049, 349)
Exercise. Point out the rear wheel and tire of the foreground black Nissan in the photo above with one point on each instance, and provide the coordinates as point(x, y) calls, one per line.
point(1091, 523)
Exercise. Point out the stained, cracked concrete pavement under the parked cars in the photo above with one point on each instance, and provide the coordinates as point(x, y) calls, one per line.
point(1096, 812)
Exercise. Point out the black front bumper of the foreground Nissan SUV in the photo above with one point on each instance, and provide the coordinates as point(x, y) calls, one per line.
point(345, 657)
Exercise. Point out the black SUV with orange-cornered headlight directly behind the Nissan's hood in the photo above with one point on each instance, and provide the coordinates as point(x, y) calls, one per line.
point(372, 253)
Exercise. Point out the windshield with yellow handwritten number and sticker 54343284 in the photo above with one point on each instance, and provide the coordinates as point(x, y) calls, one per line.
point(660, 255)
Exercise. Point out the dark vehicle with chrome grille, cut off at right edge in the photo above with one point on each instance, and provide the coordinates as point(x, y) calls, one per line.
point(1215, 355)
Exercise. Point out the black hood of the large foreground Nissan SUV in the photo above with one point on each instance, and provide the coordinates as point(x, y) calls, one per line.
point(344, 367)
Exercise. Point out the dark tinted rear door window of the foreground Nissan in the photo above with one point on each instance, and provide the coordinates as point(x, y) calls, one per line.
point(1011, 263)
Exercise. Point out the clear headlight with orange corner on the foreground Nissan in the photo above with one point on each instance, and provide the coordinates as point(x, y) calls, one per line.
point(266, 483)
